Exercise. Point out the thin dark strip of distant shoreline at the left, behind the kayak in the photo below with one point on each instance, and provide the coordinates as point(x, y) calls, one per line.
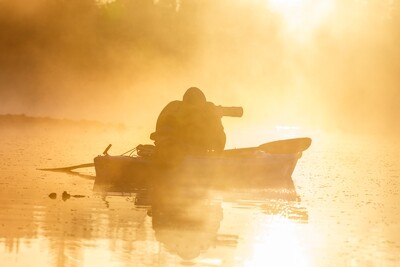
point(16, 120)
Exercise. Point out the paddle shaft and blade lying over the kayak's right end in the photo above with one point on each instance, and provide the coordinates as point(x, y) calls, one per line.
point(287, 146)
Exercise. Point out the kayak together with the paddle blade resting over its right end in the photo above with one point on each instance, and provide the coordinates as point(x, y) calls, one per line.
point(270, 165)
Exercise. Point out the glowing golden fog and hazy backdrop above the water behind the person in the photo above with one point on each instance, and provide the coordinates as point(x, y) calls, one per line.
point(327, 64)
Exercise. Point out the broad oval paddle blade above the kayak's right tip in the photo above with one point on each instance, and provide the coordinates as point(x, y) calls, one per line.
point(288, 146)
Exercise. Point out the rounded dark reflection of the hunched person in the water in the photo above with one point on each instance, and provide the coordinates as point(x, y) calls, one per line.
point(185, 222)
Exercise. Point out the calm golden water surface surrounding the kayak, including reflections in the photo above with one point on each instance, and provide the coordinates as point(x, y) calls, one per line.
point(349, 212)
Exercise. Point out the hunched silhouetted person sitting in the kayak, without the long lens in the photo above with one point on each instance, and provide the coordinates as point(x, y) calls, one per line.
point(189, 127)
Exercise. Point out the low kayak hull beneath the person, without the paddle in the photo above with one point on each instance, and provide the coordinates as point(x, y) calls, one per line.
point(131, 173)
